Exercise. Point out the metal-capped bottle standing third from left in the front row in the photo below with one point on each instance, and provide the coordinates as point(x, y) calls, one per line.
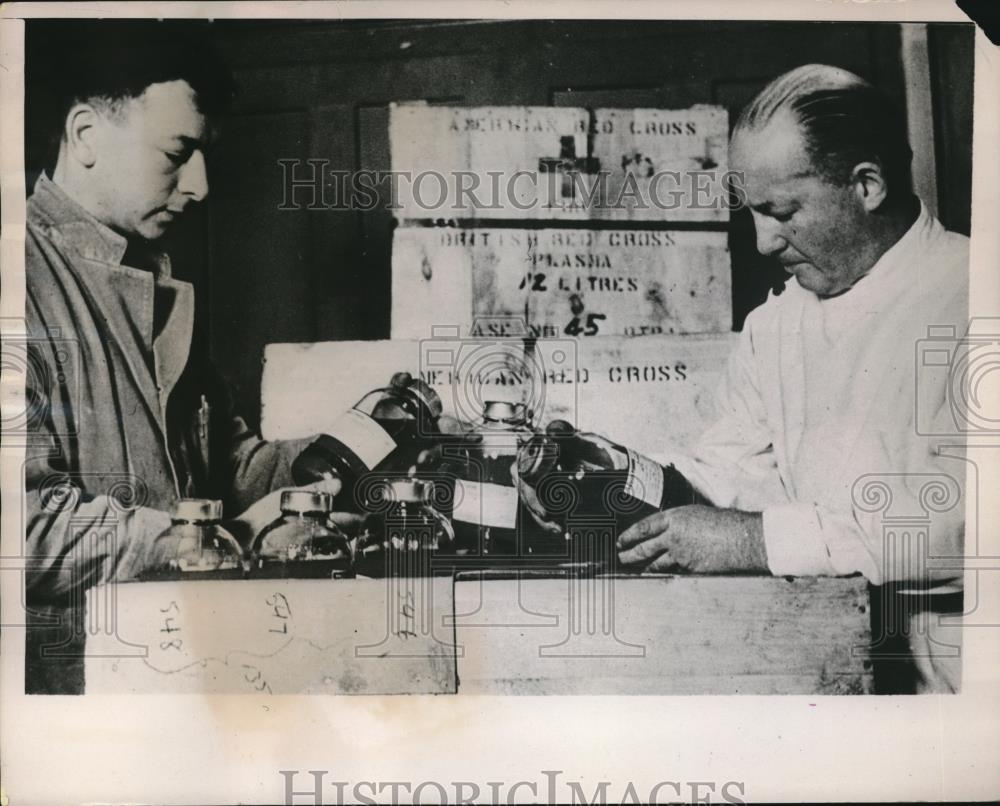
point(403, 531)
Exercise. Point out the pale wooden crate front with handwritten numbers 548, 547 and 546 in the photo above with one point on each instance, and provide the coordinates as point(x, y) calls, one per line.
point(298, 636)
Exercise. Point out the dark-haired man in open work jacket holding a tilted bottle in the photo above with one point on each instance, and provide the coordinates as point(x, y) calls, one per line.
point(127, 412)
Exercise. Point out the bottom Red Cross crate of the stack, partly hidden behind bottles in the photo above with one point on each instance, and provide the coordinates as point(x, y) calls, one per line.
point(666, 382)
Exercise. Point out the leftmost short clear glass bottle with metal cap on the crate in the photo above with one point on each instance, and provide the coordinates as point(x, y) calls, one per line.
point(195, 546)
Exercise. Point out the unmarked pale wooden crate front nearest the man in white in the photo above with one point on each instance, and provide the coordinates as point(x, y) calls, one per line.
point(663, 635)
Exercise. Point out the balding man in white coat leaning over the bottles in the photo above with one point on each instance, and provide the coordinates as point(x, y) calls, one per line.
point(819, 438)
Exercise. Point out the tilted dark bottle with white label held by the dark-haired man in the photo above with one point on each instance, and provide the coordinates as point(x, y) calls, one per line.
point(384, 431)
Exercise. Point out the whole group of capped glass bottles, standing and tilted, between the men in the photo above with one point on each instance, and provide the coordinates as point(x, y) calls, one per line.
point(436, 501)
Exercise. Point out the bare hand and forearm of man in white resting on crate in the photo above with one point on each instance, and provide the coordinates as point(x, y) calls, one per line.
point(698, 539)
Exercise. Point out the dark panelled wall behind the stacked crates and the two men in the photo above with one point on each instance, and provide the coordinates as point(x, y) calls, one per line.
point(322, 90)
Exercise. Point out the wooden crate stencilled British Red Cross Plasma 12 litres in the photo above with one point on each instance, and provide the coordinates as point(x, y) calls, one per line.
point(562, 281)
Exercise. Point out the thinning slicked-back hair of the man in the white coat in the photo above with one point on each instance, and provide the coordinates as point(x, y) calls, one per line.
point(844, 120)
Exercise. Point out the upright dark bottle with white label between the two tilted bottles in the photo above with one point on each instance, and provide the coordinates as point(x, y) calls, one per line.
point(485, 509)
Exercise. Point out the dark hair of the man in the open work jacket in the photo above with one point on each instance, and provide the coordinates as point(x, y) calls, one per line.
point(110, 61)
